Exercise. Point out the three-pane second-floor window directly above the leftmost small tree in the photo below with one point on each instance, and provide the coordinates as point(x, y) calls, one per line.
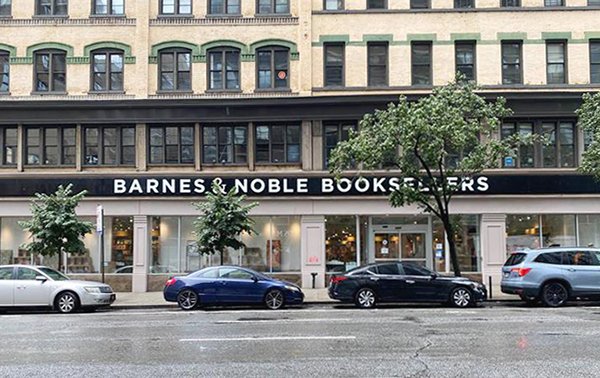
point(50, 145)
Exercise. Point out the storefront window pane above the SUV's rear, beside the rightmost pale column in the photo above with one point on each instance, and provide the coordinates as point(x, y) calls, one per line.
point(522, 231)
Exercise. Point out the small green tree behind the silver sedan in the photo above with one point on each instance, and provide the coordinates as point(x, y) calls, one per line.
point(54, 226)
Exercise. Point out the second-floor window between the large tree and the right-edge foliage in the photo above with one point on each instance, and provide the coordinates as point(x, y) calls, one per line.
point(558, 150)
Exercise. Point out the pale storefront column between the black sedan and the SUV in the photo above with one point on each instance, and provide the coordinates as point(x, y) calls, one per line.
point(493, 249)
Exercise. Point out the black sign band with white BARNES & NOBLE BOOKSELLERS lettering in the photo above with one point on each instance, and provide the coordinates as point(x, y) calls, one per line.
point(310, 186)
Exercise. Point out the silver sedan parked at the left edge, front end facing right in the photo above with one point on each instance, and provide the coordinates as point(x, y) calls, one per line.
point(40, 286)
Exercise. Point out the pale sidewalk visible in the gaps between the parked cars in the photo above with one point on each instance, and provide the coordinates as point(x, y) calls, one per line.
point(155, 299)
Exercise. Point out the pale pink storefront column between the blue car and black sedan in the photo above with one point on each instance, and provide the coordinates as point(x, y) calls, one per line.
point(313, 251)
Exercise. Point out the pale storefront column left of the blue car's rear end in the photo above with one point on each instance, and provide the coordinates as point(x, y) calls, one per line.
point(140, 254)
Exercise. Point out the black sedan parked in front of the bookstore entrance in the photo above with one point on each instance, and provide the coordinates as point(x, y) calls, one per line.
point(403, 282)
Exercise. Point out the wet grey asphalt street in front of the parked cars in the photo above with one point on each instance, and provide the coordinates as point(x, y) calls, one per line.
point(507, 340)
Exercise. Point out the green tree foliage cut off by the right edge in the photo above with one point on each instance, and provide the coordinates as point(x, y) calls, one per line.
point(589, 121)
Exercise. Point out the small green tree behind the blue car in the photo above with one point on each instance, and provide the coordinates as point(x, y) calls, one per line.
point(224, 218)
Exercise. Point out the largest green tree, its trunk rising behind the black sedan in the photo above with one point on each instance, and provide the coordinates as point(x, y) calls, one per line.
point(434, 145)
